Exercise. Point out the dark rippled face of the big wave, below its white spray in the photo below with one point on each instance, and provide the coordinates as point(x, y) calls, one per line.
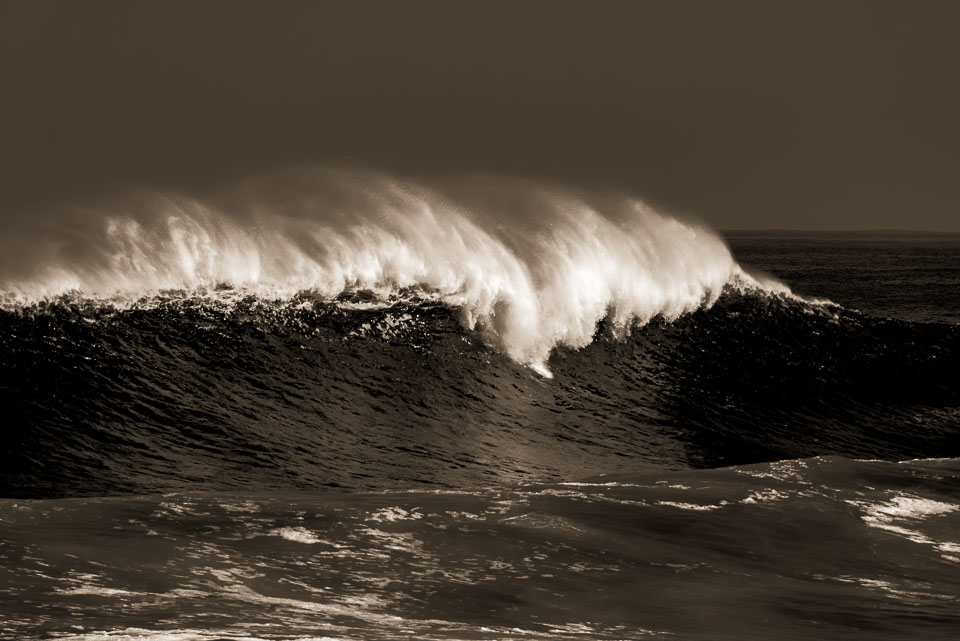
point(247, 394)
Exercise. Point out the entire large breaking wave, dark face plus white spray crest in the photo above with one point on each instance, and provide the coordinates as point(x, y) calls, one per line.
point(319, 328)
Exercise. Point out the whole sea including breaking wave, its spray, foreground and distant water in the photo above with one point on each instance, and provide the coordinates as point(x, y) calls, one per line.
point(341, 406)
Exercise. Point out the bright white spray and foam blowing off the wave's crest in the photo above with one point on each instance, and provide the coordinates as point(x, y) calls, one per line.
point(532, 265)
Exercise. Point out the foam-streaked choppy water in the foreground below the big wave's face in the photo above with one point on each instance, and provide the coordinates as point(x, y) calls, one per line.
point(823, 548)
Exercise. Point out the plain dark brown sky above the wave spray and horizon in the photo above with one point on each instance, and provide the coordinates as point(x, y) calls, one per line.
point(804, 114)
